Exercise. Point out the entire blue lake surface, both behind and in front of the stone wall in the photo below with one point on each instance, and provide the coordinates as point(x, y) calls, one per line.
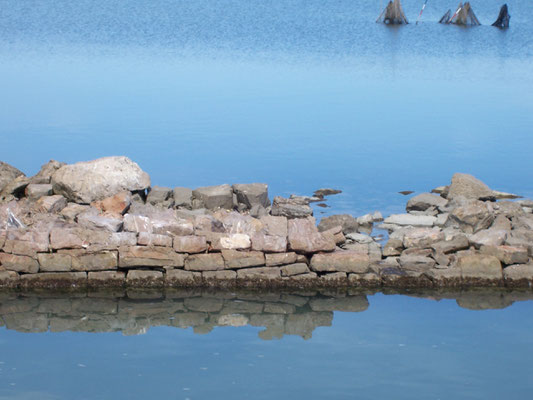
point(300, 95)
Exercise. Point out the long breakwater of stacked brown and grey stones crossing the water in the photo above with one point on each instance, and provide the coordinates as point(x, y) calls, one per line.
point(101, 224)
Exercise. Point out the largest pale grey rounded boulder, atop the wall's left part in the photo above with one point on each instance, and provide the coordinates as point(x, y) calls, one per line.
point(85, 182)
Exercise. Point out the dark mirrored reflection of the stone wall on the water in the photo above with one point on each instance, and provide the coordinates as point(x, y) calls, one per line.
point(134, 312)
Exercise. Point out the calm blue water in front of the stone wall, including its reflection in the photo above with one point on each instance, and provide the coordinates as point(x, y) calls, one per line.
point(389, 346)
